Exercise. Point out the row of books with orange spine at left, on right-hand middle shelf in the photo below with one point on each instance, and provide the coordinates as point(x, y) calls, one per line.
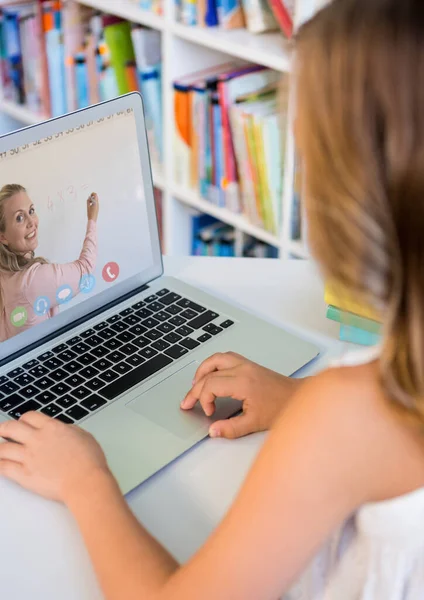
point(230, 128)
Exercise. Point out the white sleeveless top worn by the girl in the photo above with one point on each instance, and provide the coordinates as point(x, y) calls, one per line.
point(378, 554)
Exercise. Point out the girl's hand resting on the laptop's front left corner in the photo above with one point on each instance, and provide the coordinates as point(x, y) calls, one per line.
point(48, 457)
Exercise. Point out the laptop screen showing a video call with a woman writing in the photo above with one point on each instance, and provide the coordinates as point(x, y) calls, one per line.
point(75, 228)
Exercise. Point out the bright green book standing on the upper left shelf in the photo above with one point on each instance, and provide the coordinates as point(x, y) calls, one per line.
point(118, 39)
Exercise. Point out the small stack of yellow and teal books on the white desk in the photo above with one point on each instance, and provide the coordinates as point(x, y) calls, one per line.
point(358, 325)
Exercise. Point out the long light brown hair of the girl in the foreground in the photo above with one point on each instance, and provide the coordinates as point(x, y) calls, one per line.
point(360, 87)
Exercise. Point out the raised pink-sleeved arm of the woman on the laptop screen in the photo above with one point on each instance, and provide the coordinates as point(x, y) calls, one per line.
point(45, 280)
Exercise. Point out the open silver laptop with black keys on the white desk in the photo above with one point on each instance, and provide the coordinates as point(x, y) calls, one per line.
point(91, 331)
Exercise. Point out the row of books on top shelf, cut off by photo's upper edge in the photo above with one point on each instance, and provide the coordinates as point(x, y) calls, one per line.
point(257, 16)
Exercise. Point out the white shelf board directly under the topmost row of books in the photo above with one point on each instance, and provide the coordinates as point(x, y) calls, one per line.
point(268, 49)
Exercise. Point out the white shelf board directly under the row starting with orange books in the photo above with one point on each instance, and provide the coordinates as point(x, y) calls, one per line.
point(192, 199)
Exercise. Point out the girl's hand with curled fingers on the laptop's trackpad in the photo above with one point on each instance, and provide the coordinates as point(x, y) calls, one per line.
point(262, 391)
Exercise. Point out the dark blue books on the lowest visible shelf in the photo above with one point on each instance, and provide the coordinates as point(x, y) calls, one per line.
point(211, 237)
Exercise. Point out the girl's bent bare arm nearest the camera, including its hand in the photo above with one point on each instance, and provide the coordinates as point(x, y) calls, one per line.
point(329, 452)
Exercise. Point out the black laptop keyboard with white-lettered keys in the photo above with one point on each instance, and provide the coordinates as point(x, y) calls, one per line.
point(83, 374)
